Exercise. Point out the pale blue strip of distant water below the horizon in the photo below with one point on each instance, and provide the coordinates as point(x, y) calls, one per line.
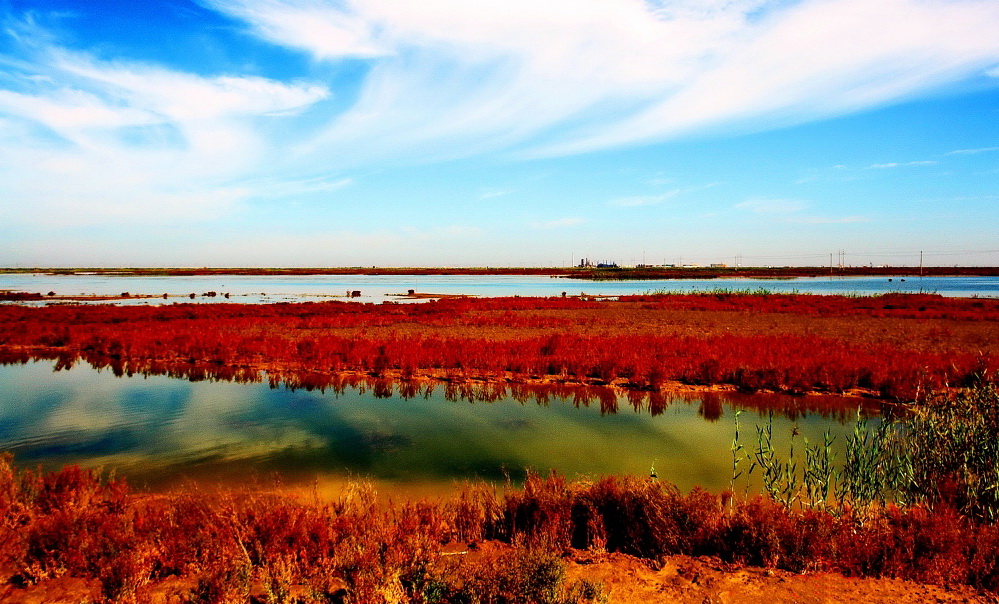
point(378, 288)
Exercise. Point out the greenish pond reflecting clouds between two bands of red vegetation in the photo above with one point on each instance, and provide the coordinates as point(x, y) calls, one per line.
point(159, 431)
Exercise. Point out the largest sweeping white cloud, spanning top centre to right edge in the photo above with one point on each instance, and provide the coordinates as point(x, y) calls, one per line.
point(450, 77)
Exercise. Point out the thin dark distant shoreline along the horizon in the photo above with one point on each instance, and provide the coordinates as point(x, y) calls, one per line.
point(628, 273)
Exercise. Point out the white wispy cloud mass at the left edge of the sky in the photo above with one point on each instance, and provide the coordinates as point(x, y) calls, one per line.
point(92, 142)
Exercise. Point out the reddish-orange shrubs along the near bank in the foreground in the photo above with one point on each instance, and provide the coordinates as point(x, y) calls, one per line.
point(225, 547)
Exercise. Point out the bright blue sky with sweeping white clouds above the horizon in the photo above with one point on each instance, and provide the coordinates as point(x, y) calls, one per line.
point(506, 133)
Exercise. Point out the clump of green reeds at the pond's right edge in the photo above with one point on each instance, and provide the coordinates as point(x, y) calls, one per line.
point(945, 452)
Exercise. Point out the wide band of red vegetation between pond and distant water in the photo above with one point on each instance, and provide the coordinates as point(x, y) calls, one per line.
point(898, 346)
